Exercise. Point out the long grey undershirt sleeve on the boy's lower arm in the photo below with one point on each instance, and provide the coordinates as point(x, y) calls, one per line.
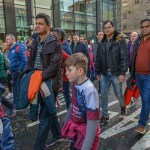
point(90, 134)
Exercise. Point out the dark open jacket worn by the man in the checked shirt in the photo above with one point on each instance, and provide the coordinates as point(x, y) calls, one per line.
point(51, 57)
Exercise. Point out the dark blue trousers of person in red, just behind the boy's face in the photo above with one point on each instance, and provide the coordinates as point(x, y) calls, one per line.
point(66, 92)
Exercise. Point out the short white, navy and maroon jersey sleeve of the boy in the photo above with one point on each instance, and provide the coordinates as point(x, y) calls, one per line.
point(92, 104)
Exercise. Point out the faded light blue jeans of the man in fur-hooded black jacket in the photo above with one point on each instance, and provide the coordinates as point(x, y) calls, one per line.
point(106, 80)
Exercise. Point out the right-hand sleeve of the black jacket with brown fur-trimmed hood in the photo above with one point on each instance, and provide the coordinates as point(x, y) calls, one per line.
point(124, 57)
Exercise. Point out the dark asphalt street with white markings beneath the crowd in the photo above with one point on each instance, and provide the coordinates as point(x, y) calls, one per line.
point(118, 134)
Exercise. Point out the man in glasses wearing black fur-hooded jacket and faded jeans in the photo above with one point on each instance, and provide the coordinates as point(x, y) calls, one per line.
point(111, 65)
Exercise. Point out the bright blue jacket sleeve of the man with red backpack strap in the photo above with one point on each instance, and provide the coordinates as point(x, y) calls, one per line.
point(22, 57)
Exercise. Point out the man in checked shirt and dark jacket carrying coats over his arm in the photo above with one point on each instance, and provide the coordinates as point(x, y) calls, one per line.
point(46, 54)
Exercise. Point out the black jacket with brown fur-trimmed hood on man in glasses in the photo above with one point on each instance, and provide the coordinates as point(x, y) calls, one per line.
point(117, 54)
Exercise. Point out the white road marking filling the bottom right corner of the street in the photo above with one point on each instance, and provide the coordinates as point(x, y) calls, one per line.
point(143, 143)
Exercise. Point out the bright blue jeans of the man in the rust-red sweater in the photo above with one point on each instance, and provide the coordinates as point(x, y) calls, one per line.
point(143, 83)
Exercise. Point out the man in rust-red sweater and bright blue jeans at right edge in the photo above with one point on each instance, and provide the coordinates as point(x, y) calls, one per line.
point(140, 69)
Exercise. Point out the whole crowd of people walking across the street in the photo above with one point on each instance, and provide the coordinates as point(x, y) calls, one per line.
point(58, 65)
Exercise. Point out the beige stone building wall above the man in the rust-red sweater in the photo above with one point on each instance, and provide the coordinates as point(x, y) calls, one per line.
point(133, 11)
